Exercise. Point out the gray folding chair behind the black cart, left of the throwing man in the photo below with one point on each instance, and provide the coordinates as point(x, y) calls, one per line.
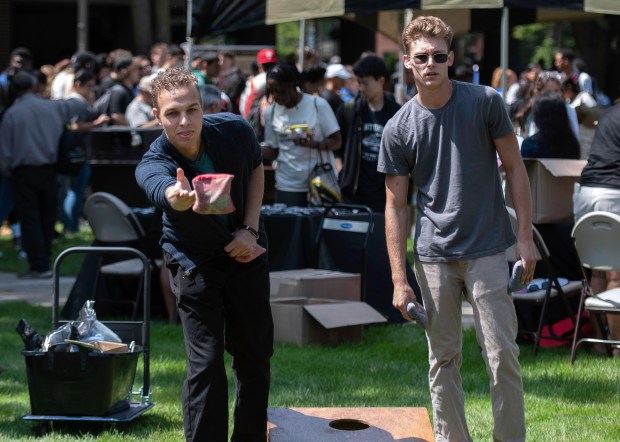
point(114, 223)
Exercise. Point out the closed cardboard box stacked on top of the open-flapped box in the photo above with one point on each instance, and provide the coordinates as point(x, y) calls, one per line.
point(315, 283)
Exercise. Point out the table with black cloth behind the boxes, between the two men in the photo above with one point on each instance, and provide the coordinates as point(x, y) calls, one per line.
point(291, 232)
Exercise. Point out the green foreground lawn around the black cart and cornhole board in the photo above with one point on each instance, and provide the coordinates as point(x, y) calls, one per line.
point(388, 369)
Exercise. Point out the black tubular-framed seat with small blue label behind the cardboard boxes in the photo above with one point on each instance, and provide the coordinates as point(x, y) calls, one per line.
point(342, 240)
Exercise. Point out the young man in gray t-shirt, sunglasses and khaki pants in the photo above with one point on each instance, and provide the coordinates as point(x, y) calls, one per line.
point(448, 137)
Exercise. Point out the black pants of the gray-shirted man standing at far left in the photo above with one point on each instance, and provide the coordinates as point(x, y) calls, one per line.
point(35, 197)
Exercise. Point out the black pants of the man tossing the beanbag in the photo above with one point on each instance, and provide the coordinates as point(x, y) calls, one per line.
point(225, 305)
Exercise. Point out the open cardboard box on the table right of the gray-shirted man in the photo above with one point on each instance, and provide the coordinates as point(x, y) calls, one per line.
point(552, 182)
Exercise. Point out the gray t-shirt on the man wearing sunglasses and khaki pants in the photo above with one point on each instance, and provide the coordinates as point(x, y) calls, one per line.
point(452, 159)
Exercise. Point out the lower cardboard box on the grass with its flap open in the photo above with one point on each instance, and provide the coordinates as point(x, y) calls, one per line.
point(321, 321)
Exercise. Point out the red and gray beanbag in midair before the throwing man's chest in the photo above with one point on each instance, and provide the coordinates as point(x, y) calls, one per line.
point(213, 194)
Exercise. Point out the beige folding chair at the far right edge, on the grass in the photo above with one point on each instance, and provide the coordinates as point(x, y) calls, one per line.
point(597, 240)
